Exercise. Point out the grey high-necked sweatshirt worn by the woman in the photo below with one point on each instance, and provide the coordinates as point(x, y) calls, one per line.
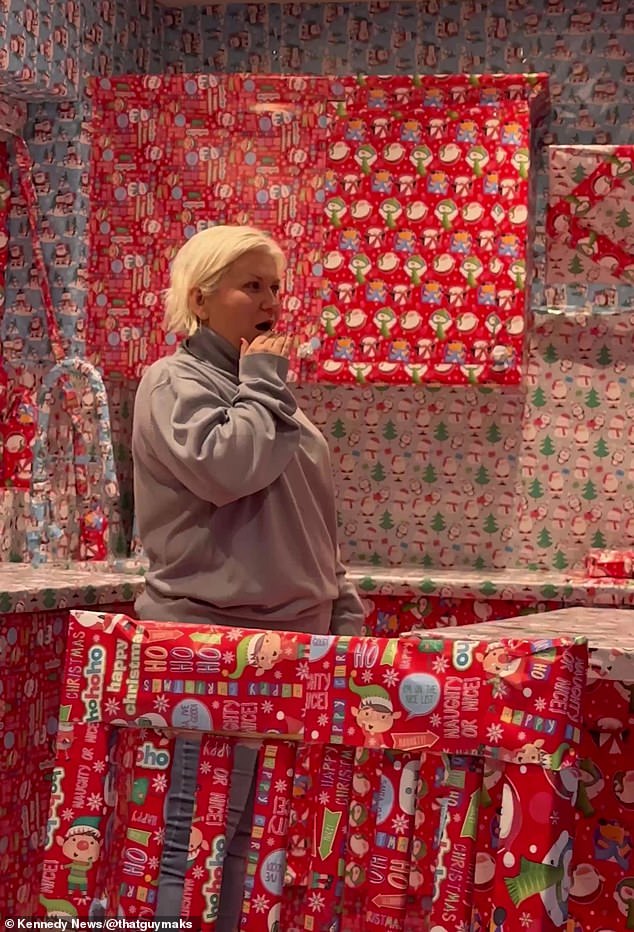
point(234, 497)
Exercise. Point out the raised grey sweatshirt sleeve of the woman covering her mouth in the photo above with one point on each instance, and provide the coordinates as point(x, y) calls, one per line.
point(222, 452)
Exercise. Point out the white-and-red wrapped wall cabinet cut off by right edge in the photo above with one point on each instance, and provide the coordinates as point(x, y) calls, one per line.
point(591, 215)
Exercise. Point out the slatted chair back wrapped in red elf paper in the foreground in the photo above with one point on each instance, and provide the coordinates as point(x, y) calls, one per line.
point(413, 738)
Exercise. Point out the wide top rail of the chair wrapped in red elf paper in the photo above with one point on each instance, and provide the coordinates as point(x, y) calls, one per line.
point(321, 689)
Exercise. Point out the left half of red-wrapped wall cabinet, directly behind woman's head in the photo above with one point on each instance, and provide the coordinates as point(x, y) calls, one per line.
point(173, 155)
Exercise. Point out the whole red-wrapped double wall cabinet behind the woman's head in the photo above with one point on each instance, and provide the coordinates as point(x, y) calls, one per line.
point(403, 204)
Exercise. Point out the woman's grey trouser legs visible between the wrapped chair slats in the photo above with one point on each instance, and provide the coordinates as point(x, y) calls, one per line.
point(180, 807)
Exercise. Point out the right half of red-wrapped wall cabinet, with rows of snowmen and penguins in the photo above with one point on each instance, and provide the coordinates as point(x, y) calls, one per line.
point(428, 245)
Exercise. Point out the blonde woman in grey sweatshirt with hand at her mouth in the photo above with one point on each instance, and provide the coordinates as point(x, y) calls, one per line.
point(234, 499)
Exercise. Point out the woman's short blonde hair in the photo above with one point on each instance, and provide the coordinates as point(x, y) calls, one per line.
point(201, 263)
